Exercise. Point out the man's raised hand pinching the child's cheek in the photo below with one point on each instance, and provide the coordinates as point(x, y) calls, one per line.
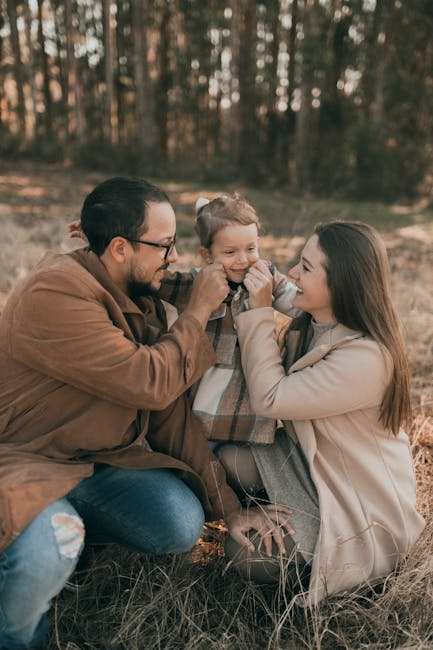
point(209, 289)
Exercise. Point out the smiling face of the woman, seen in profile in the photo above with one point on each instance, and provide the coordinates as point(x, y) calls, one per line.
point(309, 275)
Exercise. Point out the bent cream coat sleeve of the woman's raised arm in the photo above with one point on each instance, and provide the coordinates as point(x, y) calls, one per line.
point(351, 377)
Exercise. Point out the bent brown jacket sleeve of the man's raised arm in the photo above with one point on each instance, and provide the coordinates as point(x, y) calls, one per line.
point(69, 334)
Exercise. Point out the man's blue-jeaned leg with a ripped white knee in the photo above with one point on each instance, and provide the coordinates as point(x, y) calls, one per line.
point(33, 569)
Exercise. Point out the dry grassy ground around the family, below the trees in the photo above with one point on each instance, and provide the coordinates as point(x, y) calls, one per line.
point(122, 600)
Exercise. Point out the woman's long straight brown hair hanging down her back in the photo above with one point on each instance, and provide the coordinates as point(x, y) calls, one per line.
point(358, 275)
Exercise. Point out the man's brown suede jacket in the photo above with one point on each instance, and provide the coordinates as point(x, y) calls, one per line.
point(89, 376)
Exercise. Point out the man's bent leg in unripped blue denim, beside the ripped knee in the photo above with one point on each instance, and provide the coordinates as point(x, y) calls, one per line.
point(149, 511)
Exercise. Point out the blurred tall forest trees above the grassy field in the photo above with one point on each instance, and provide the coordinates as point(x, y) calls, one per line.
point(322, 96)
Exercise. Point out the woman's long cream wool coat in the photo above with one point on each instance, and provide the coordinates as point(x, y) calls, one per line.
point(362, 472)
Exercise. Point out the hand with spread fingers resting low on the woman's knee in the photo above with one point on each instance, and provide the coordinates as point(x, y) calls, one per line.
point(267, 520)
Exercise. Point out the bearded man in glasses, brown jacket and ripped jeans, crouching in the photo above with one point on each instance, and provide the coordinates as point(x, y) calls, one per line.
point(92, 394)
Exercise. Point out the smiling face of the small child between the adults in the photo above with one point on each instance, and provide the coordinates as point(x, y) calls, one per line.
point(236, 248)
